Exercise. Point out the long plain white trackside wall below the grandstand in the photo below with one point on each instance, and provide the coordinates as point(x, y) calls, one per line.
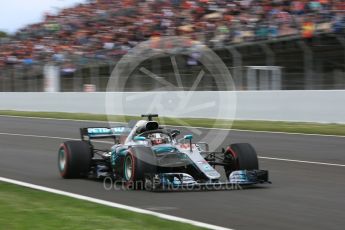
point(325, 106)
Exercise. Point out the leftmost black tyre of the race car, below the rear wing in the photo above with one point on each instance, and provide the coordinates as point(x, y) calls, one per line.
point(74, 159)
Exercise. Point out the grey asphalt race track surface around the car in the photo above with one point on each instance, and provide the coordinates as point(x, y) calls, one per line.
point(303, 195)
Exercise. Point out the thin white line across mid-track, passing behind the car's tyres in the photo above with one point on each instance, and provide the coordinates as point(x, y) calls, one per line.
point(109, 142)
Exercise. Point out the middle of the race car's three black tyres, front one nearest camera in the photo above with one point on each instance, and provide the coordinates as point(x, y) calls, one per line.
point(138, 162)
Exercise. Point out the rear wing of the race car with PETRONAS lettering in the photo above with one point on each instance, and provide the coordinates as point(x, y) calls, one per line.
point(103, 132)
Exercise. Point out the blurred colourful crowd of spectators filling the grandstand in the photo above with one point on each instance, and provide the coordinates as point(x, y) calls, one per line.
point(107, 29)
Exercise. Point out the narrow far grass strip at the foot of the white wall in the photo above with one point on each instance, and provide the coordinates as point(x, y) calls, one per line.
point(274, 126)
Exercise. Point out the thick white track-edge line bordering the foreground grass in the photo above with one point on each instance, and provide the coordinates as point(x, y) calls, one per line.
point(113, 204)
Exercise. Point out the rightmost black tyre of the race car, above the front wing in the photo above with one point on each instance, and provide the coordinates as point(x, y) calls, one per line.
point(241, 156)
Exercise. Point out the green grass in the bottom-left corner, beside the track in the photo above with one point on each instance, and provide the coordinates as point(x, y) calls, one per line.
point(24, 208)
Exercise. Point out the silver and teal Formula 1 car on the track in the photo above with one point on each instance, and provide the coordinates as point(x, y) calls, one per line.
point(148, 156)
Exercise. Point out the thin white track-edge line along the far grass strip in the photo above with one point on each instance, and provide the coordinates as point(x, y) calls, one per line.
point(237, 130)
